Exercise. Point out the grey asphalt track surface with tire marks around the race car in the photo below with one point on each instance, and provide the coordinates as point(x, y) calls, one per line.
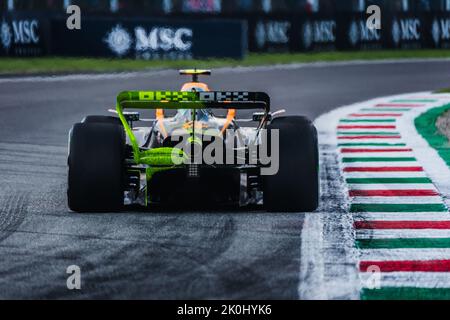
point(188, 254)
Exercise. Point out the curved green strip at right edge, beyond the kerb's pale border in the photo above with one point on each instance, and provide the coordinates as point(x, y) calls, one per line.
point(426, 126)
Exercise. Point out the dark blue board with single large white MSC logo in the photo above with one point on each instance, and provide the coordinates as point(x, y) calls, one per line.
point(157, 38)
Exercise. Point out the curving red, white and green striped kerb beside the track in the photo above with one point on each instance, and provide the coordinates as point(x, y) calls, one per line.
point(402, 225)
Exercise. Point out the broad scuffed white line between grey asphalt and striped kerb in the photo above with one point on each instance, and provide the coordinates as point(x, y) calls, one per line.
point(328, 254)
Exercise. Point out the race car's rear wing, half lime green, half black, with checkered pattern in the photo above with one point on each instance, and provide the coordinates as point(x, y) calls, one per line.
point(240, 100)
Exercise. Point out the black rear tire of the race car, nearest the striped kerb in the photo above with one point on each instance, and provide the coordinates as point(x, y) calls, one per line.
point(295, 188)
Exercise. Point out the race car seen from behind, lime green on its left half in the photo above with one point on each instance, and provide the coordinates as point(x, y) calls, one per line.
point(193, 156)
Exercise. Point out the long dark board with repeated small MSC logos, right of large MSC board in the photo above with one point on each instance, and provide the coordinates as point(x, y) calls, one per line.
point(315, 32)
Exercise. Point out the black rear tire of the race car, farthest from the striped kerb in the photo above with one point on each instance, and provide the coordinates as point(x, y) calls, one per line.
point(96, 167)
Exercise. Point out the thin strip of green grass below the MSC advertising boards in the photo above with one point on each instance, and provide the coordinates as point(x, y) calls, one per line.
point(55, 65)
